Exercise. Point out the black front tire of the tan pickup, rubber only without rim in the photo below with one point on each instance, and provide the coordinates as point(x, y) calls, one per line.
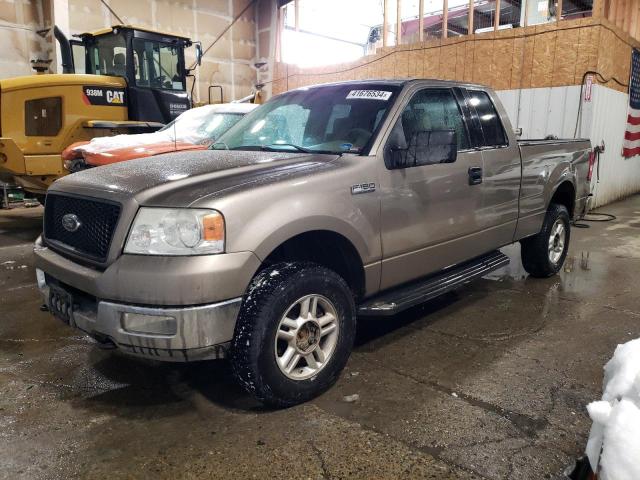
point(253, 352)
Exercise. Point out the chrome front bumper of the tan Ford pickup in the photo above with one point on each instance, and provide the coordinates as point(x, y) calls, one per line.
point(179, 334)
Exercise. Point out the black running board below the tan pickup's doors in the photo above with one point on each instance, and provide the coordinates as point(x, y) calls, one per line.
point(406, 296)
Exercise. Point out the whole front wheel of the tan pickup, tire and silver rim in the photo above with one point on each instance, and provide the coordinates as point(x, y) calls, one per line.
point(294, 333)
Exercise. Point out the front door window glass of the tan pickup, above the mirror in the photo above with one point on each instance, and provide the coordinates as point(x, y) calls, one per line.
point(434, 109)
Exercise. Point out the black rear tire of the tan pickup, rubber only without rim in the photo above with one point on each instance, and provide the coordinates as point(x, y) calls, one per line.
point(535, 250)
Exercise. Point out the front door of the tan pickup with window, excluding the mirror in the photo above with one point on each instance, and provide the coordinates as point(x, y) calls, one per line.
point(428, 212)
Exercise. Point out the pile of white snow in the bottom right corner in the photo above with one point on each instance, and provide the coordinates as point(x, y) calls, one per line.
point(614, 442)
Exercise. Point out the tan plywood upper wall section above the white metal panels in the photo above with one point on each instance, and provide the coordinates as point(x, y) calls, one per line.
point(550, 55)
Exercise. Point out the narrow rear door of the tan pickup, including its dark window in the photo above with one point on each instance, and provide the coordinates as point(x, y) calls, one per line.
point(501, 170)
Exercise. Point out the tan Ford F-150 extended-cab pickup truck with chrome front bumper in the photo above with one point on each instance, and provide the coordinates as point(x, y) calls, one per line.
point(327, 202)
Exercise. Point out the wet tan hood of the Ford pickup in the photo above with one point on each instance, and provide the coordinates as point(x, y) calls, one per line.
point(181, 178)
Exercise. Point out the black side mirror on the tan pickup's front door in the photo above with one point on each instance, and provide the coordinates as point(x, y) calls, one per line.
point(427, 147)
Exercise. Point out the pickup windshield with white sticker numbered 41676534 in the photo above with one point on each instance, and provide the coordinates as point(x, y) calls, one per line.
point(332, 118)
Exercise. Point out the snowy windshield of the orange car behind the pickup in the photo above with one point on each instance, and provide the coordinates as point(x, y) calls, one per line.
point(200, 125)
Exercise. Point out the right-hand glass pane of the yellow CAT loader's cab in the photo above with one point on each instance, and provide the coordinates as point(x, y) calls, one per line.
point(157, 65)
